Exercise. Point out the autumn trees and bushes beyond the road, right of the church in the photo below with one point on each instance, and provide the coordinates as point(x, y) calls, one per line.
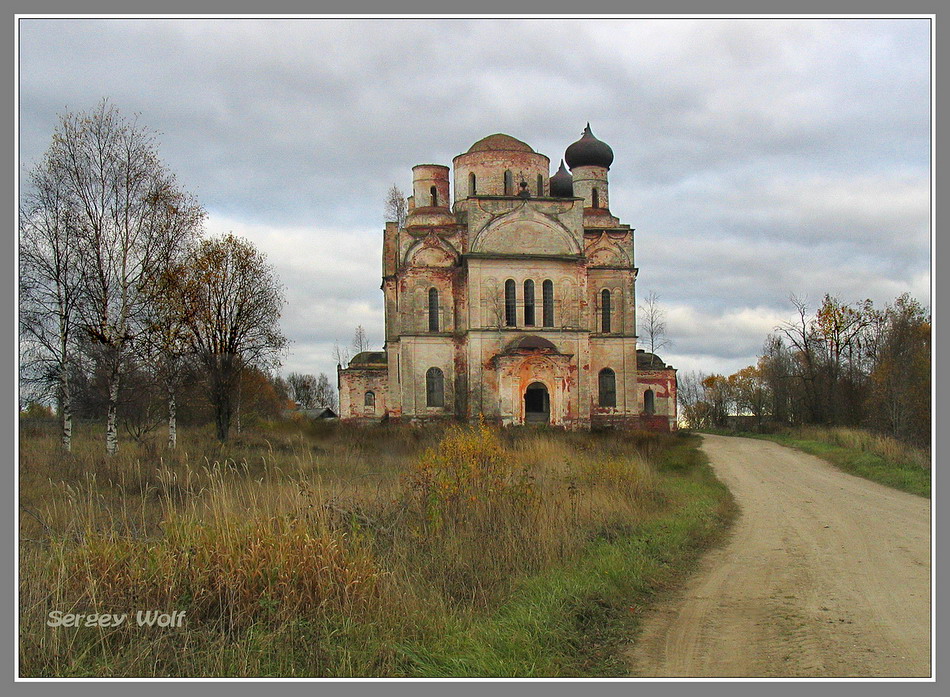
point(841, 365)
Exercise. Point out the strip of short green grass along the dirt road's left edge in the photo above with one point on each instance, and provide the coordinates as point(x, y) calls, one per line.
point(575, 621)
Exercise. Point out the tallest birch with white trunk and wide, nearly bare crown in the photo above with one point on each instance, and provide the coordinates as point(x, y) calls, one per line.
point(130, 217)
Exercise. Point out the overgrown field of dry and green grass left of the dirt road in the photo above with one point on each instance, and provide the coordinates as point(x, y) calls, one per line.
point(325, 550)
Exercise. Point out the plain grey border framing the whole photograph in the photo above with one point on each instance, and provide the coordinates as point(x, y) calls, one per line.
point(8, 414)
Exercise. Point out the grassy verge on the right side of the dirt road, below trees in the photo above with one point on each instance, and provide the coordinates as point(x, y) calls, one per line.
point(863, 454)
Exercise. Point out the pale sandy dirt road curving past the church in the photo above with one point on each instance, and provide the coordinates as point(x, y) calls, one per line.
point(824, 575)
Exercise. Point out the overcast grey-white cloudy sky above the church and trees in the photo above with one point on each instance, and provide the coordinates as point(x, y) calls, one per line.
point(755, 158)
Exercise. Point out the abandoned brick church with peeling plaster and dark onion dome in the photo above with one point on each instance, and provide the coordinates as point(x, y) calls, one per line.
point(514, 299)
